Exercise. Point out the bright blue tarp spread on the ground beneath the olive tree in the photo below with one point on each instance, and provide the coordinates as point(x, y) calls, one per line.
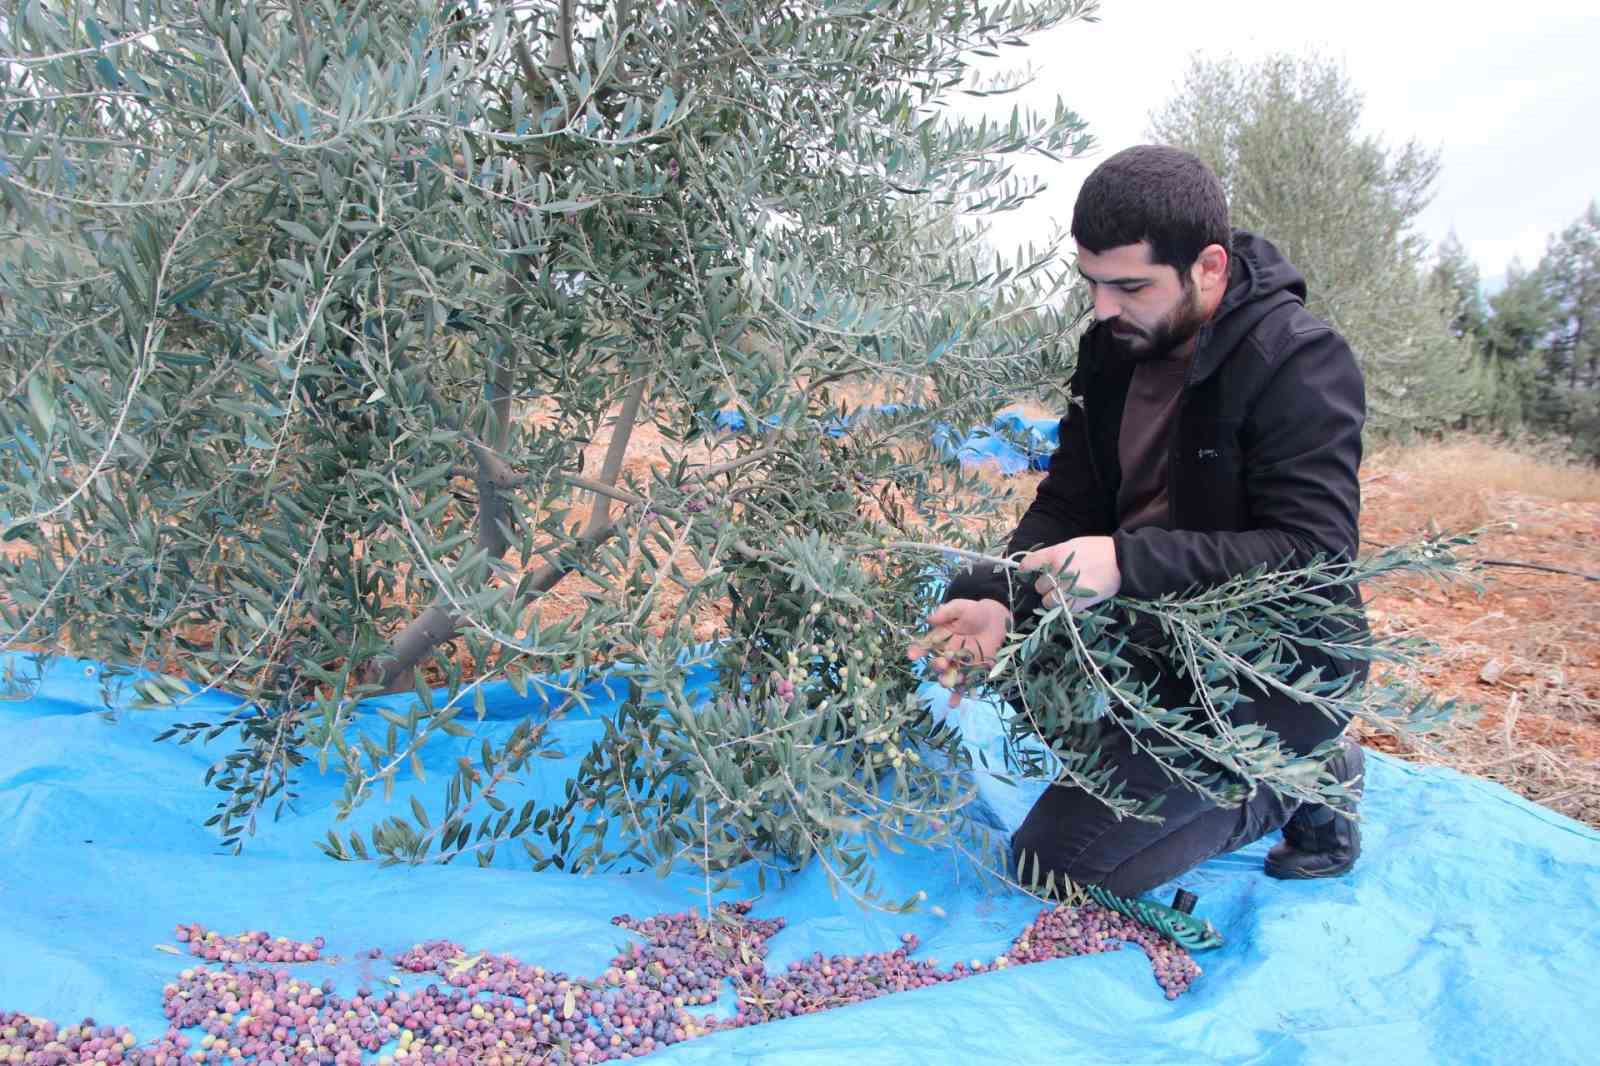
point(1468, 932)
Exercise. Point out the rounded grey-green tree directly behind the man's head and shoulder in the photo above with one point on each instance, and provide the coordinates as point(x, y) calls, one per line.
point(1284, 135)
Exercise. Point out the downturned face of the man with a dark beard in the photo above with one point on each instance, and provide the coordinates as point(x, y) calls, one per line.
point(1150, 310)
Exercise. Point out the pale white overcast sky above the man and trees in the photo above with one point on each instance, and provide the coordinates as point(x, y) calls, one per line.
point(1508, 94)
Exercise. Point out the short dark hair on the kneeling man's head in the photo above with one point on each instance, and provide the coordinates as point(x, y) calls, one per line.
point(1153, 193)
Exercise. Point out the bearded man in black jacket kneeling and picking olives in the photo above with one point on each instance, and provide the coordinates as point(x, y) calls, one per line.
point(1220, 431)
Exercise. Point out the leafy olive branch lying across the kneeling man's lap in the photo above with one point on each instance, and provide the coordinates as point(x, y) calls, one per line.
point(1089, 676)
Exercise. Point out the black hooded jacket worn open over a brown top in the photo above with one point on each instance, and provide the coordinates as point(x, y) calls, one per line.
point(1262, 467)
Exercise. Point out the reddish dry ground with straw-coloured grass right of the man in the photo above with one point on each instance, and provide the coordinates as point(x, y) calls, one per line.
point(1524, 652)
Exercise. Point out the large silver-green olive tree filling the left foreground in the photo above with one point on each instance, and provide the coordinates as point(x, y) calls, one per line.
point(334, 331)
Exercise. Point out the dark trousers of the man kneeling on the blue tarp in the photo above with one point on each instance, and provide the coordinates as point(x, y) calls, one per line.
point(1076, 836)
